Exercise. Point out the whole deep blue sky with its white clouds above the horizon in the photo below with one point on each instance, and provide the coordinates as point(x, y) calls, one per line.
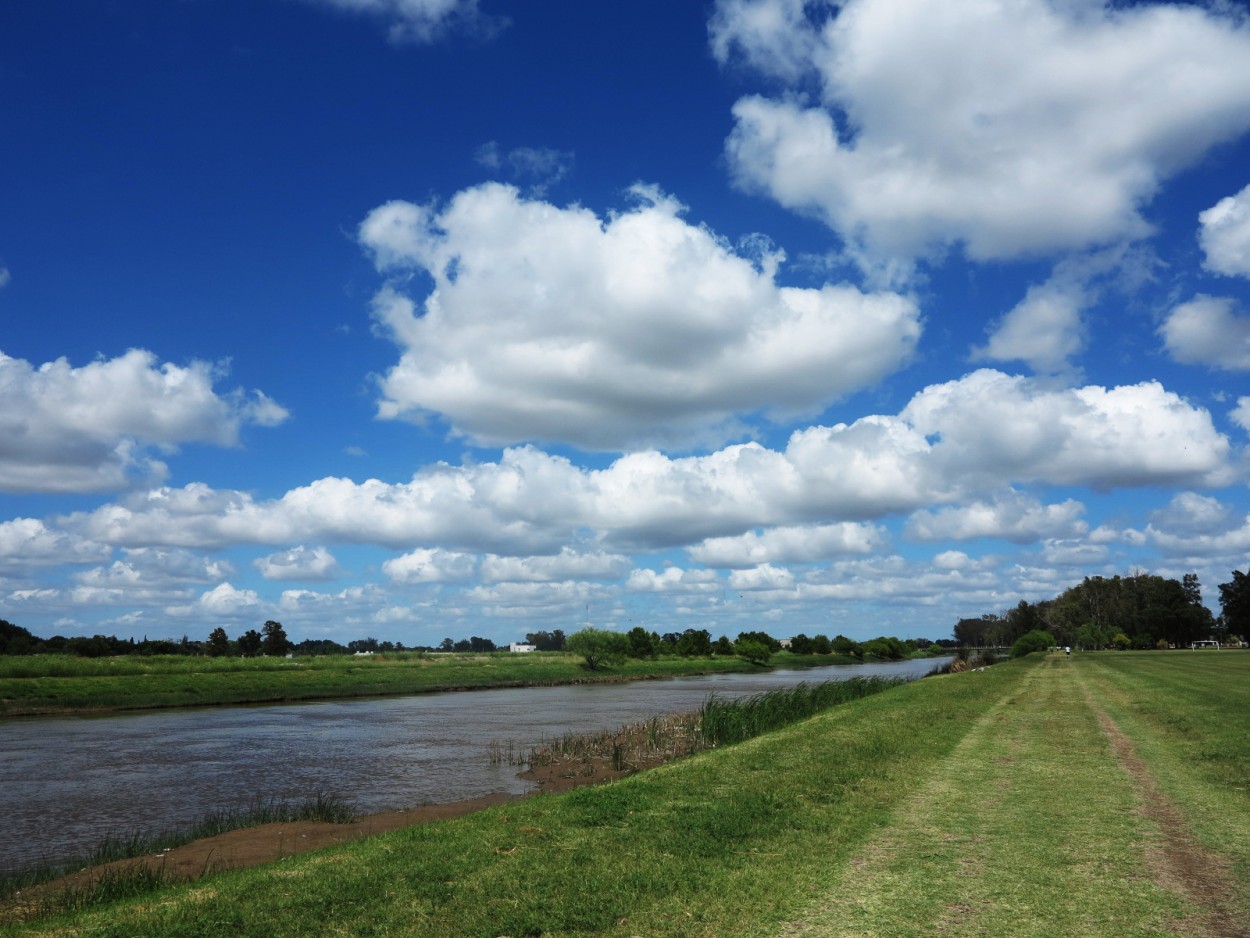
point(417, 320)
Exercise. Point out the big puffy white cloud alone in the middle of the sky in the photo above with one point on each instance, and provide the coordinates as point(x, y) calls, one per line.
point(619, 333)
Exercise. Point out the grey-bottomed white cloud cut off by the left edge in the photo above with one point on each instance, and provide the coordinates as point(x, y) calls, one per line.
point(86, 430)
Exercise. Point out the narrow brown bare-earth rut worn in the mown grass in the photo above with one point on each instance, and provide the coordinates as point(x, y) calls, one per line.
point(1179, 864)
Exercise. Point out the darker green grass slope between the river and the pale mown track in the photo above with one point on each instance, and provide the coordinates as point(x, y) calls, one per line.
point(737, 841)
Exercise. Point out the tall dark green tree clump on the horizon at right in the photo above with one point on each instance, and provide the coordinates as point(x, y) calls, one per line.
point(1141, 611)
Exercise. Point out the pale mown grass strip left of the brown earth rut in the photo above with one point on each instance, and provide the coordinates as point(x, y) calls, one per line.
point(1031, 829)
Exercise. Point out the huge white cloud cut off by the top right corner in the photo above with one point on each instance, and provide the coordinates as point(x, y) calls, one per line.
point(1011, 127)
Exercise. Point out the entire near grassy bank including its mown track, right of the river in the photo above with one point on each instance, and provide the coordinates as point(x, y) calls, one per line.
point(1046, 797)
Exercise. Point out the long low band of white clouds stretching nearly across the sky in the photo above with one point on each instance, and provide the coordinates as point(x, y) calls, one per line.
point(954, 443)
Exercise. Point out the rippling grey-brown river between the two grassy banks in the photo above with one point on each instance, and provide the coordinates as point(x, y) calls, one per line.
point(67, 784)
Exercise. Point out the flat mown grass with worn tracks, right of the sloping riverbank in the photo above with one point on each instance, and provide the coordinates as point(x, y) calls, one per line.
point(1041, 825)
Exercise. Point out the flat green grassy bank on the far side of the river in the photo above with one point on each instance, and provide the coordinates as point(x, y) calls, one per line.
point(49, 685)
